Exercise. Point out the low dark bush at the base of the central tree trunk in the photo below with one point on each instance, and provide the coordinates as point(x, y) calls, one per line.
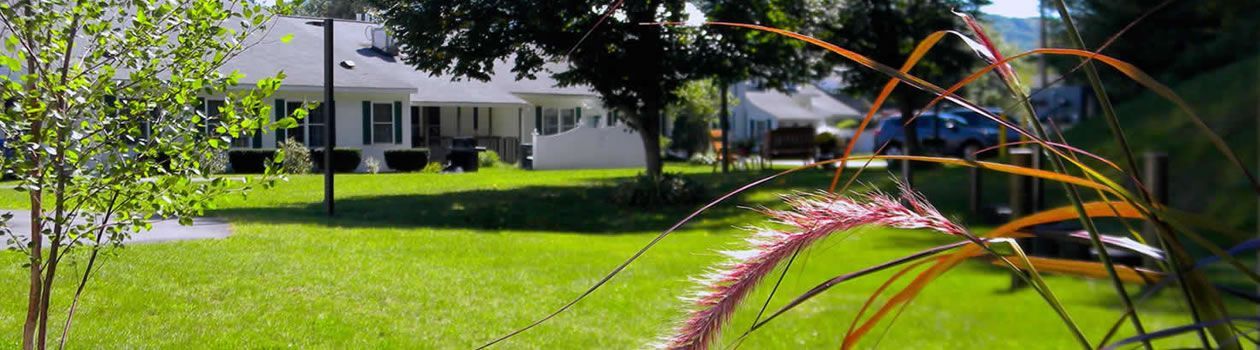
point(668, 189)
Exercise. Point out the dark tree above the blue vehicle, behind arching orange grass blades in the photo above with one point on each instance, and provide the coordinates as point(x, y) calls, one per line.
point(888, 32)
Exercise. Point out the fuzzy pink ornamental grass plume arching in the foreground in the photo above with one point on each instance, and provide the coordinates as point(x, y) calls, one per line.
point(811, 218)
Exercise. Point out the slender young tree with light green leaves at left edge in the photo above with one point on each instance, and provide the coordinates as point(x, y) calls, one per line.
point(101, 127)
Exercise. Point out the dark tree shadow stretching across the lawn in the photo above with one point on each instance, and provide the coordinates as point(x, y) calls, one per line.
point(585, 207)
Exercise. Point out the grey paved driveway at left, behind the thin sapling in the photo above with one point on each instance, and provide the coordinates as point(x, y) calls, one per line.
point(163, 231)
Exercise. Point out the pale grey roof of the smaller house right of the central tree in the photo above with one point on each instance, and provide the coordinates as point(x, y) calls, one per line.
point(807, 104)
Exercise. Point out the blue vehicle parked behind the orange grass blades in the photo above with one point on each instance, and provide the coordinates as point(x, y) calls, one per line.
point(956, 133)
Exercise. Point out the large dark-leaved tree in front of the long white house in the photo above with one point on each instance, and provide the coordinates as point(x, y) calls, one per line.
point(636, 69)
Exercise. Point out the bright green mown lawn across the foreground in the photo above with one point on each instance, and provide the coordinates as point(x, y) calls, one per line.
point(452, 261)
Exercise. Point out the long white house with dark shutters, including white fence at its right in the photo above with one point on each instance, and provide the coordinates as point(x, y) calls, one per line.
point(384, 104)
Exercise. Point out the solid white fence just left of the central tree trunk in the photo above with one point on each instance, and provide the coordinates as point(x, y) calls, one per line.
point(589, 148)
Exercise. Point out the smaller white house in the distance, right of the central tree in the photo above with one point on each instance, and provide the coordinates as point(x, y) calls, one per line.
point(762, 110)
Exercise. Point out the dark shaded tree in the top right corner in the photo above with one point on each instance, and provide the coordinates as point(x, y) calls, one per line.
point(1175, 43)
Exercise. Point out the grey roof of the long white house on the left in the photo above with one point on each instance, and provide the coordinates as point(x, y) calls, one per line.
point(303, 62)
